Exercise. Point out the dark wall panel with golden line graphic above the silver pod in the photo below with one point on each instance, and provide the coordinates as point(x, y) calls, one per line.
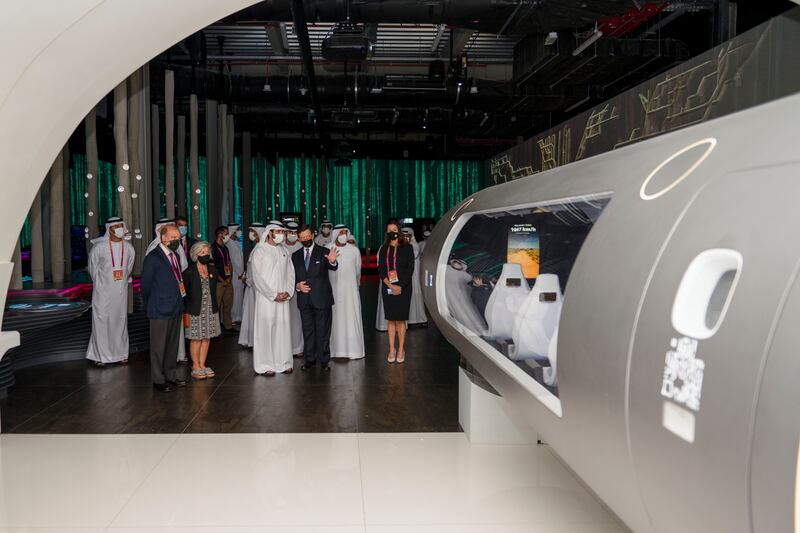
point(754, 67)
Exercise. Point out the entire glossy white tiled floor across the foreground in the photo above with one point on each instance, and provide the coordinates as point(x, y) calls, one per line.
point(301, 483)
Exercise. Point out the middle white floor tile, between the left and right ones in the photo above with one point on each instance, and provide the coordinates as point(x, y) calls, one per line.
point(252, 480)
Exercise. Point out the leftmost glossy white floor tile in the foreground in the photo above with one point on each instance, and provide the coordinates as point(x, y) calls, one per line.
point(80, 481)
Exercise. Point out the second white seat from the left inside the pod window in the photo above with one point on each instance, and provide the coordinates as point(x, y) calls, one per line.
point(537, 320)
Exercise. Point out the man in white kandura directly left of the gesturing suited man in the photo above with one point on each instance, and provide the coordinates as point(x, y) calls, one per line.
point(272, 274)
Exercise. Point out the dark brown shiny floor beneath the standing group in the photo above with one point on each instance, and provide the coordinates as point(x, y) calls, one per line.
point(366, 395)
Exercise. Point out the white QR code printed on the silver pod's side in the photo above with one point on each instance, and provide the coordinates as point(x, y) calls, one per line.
point(683, 373)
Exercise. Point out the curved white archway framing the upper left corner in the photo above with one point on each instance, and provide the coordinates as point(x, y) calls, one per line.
point(59, 59)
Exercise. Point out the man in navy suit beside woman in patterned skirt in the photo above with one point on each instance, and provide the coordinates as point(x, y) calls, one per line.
point(163, 291)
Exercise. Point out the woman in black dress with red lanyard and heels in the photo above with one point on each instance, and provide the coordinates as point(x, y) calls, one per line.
point(396, 271)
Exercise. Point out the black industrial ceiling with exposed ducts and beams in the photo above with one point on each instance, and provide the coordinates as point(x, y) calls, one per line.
point(447, 78)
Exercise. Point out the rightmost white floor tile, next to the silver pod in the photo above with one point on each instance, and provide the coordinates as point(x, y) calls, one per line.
point(440, 479)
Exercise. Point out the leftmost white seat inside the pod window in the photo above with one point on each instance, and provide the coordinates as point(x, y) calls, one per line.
point(505, 301)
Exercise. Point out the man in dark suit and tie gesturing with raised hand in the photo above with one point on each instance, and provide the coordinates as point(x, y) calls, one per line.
point(314, 297)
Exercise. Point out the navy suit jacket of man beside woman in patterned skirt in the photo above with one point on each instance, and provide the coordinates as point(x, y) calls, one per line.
point(162, 296)
